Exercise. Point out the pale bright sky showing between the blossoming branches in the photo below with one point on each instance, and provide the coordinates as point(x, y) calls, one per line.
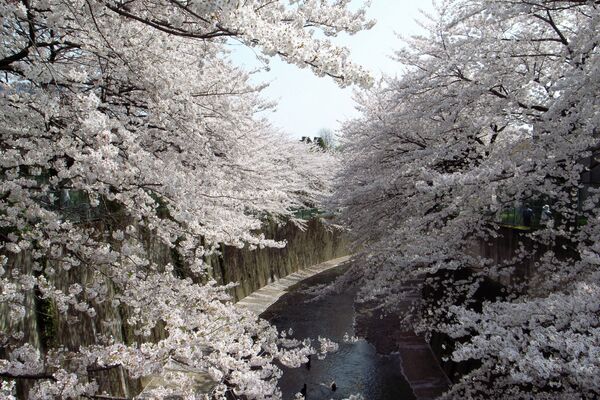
point(307, 103)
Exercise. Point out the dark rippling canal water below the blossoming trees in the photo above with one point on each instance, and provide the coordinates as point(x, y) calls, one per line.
point(356, 367)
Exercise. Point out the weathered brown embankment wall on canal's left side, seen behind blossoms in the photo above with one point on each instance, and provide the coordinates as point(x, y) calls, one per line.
point(46, 328)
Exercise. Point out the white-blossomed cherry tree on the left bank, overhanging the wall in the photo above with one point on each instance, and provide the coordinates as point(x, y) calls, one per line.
point(125, 131)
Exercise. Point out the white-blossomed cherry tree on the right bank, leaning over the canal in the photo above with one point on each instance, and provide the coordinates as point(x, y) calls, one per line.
point(498, 104)
